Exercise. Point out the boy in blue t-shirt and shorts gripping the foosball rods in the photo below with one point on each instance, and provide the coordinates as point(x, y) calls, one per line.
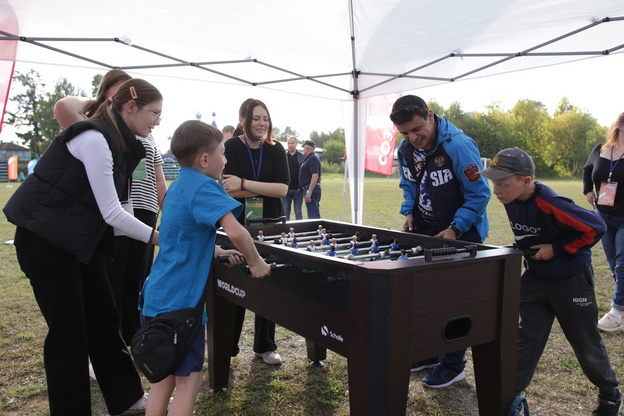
point(195, 206)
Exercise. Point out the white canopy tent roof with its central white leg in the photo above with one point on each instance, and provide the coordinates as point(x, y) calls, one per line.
point(347, 50)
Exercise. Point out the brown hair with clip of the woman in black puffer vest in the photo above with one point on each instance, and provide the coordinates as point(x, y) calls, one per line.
point(135, 89)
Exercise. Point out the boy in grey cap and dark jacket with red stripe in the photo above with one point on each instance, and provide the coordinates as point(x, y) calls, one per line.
point(558, 280)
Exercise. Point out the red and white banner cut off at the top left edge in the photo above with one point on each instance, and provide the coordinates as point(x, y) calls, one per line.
point(8, 23)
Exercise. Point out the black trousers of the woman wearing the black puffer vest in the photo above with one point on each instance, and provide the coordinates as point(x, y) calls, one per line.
point(77, 304)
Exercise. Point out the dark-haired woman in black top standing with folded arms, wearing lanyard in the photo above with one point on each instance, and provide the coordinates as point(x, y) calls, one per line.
point(256, 174)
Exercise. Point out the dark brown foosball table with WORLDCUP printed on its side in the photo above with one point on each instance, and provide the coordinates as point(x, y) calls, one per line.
point(410, 298)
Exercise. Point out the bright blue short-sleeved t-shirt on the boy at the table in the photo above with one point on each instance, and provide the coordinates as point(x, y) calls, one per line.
point(188, 229)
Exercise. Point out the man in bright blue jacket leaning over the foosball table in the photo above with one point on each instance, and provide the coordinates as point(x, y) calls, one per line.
point(444, 196)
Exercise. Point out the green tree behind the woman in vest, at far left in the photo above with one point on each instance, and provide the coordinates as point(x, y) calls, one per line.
point(34, 119)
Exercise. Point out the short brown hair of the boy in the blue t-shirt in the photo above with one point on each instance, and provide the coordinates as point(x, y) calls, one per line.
point(193, 137)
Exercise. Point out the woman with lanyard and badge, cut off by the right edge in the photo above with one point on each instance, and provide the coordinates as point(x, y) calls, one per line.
point(604, 172)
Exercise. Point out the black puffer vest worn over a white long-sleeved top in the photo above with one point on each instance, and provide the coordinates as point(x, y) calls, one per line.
point(56, 202)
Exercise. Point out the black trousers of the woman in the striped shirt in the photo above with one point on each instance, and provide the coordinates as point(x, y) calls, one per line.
point(127, 271)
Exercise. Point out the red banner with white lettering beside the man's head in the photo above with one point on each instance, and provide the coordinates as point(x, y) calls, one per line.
point(380, 134)
